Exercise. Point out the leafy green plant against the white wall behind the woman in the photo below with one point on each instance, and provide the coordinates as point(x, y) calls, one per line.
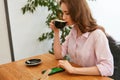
point(54, 13)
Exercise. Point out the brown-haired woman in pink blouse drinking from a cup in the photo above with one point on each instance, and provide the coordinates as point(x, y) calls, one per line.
point(86, 43)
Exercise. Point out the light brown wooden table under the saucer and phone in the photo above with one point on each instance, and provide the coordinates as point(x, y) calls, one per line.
point(19, 71)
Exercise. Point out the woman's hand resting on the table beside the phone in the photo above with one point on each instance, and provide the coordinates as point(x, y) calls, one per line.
point(66, 65)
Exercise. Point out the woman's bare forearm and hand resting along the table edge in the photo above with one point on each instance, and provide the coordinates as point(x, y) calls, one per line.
point(78, 70)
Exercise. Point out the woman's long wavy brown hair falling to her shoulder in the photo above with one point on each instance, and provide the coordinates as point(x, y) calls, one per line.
point(80, 14)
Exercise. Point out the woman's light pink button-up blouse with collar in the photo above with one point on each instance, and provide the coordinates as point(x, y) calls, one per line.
point(90, 49)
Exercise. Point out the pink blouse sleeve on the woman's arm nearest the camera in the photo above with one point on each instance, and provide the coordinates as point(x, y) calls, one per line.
point(103, 54)
